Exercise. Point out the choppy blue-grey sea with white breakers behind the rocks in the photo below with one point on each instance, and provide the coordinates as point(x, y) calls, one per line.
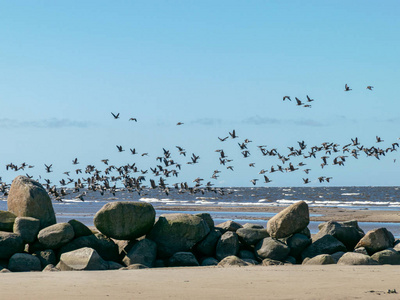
point(223, 199)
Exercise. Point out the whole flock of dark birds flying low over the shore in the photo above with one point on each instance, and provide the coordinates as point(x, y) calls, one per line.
point(110, 177)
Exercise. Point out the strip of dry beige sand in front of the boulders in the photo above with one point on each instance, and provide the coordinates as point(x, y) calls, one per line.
point(254, 282)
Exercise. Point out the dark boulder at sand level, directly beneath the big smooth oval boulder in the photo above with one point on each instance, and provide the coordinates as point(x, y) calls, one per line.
point(143, 252)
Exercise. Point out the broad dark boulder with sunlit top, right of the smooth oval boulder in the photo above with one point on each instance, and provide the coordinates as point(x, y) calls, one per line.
point(177, 233)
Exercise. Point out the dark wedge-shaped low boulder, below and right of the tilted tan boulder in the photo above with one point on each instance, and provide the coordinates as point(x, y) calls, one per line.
point(325, 245)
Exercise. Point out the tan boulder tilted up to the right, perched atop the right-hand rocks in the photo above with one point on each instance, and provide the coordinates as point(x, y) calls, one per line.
point(291, 220)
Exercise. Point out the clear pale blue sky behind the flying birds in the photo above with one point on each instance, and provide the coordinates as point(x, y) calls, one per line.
point(213, 65)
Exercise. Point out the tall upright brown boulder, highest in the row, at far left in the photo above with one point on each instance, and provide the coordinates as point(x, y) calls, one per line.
point(28, 198)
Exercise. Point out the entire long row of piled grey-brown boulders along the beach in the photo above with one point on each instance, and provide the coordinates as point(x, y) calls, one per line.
point(129, 237)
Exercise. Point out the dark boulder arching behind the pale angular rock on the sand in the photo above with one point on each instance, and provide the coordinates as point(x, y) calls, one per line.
point(104, 246)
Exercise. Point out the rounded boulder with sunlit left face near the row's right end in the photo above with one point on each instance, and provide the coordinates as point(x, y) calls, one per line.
point(376, 240)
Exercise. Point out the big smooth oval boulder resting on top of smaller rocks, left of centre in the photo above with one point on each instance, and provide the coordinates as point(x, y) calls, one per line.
point(125, 220)
